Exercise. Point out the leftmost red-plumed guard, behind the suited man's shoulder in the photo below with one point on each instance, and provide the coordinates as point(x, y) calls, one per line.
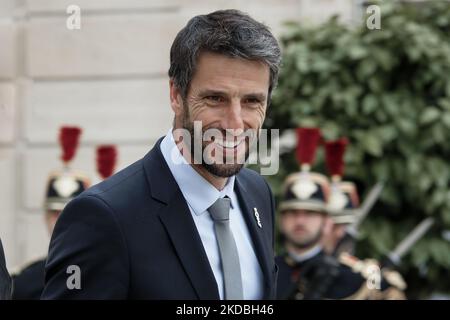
point(62, 186)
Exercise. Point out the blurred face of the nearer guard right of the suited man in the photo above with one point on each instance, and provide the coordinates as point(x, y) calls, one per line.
point(302, 228)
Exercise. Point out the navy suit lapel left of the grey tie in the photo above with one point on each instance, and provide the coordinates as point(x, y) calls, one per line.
point(177, 220)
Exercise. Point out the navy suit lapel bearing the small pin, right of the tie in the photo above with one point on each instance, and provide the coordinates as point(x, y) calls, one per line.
point(262, 250)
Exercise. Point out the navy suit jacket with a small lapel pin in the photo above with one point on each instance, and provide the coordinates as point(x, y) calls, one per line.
point(133, 237)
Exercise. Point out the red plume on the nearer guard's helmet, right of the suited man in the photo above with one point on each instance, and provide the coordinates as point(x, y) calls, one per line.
point(307, 141)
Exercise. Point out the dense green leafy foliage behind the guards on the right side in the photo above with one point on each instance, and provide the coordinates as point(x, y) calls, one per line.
point(388, 91)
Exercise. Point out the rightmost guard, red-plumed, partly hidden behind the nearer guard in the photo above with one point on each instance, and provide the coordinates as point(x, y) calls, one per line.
point(344, 209)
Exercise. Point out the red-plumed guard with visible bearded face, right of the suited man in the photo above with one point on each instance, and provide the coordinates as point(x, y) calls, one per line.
point(302, 220)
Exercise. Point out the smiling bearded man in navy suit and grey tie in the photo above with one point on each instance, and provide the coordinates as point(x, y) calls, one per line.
point(170, 226)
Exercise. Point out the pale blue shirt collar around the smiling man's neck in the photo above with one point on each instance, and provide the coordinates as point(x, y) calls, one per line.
point(198, 192)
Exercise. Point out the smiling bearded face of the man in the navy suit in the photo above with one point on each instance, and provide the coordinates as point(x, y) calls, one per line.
point(229, 95)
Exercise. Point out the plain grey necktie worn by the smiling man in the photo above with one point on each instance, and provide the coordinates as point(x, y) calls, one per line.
point(220, 213)
